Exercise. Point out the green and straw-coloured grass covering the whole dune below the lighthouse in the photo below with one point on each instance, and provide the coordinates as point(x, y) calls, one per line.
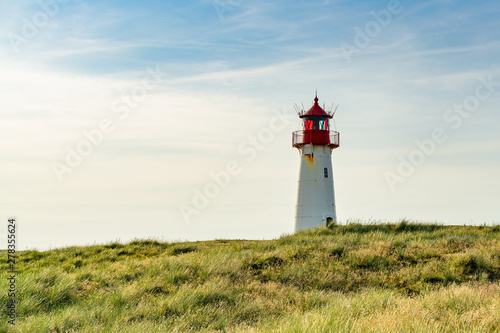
point(404, 277)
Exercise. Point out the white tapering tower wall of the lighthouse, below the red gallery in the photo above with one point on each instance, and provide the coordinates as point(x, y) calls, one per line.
point(315, 198)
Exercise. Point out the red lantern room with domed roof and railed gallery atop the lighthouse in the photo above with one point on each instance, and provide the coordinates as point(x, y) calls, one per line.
point(316, 128)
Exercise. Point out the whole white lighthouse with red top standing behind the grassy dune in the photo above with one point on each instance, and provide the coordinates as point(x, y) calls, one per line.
point(315, 142)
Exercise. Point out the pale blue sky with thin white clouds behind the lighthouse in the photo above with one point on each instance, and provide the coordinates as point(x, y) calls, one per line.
point(172, 120)
